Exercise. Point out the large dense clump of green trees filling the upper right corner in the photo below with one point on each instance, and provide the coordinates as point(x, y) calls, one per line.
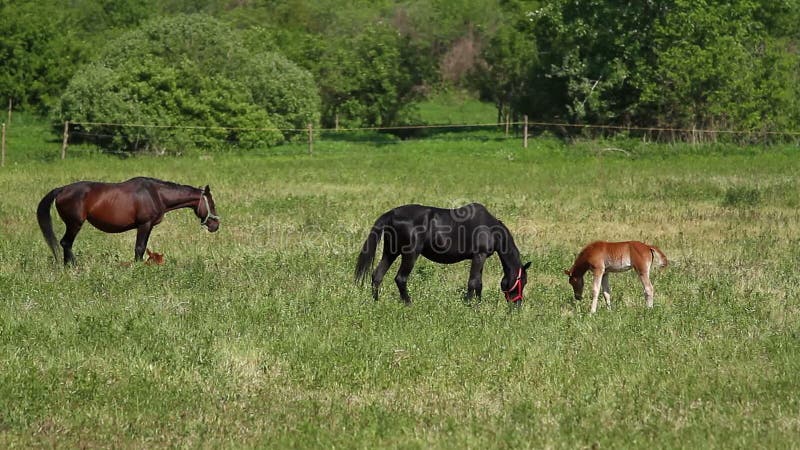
point(677, 64)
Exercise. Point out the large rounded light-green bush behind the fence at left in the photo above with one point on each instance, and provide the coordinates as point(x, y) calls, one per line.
point(187, 81)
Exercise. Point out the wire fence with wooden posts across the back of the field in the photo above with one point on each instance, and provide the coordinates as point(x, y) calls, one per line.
point(108, 133)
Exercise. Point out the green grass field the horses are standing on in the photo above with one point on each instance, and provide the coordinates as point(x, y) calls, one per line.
point(256, 336)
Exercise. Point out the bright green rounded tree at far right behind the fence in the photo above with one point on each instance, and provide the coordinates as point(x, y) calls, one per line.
point(719, 67)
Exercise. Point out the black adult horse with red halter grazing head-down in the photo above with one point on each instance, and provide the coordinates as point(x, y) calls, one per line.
point(444, 236)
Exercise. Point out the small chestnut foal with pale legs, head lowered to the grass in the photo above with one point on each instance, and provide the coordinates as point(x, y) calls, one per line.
point(603, 258)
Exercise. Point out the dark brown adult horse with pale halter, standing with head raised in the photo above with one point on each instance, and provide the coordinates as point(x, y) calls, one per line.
point(139, 203)
